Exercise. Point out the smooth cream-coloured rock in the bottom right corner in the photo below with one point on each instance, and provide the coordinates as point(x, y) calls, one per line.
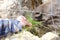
point(50, 36)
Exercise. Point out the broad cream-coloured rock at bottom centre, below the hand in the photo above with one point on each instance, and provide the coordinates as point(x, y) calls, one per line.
point(25, 35)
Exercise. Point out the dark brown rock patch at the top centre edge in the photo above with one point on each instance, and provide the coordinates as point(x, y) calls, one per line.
point(31, 4)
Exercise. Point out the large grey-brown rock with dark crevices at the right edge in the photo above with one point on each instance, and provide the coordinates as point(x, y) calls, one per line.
point(48, 12)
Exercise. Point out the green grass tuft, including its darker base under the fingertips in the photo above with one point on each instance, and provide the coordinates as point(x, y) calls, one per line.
point(33, 22)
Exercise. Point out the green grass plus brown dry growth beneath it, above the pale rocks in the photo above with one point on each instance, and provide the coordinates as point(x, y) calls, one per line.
point(36, 28)
